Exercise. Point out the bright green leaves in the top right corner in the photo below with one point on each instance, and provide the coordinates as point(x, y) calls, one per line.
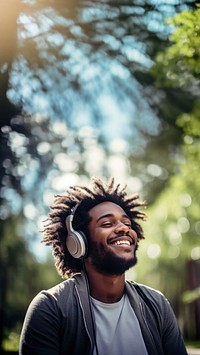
point(179, 65)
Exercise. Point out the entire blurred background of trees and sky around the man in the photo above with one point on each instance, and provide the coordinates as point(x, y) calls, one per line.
point(100, 88)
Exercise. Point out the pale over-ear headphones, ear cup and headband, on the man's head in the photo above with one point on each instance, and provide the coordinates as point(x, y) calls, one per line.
point(76, 241)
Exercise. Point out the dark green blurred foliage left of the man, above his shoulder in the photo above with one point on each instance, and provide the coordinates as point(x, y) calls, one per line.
point(21, 276)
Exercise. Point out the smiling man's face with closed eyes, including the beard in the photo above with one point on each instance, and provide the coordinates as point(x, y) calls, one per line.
point(113, 243)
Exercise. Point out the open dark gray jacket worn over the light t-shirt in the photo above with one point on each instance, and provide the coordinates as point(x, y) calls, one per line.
point(59, 321)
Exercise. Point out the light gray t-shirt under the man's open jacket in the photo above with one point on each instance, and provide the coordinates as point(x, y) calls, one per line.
point(117, 329)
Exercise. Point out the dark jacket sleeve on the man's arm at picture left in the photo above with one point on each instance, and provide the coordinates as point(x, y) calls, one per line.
point(40, 332)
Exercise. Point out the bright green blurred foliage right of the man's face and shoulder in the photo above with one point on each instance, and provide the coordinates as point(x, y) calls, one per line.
point(172, 237)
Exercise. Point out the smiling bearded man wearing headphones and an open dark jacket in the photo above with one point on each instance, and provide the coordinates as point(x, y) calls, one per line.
point(95, 234)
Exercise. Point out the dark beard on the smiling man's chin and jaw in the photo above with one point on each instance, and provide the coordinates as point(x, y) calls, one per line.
point(108, 263)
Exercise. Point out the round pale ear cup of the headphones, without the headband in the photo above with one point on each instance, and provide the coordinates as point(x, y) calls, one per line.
point(76, 243)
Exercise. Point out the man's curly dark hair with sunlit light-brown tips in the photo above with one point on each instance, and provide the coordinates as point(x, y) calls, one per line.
point(55, 232)
